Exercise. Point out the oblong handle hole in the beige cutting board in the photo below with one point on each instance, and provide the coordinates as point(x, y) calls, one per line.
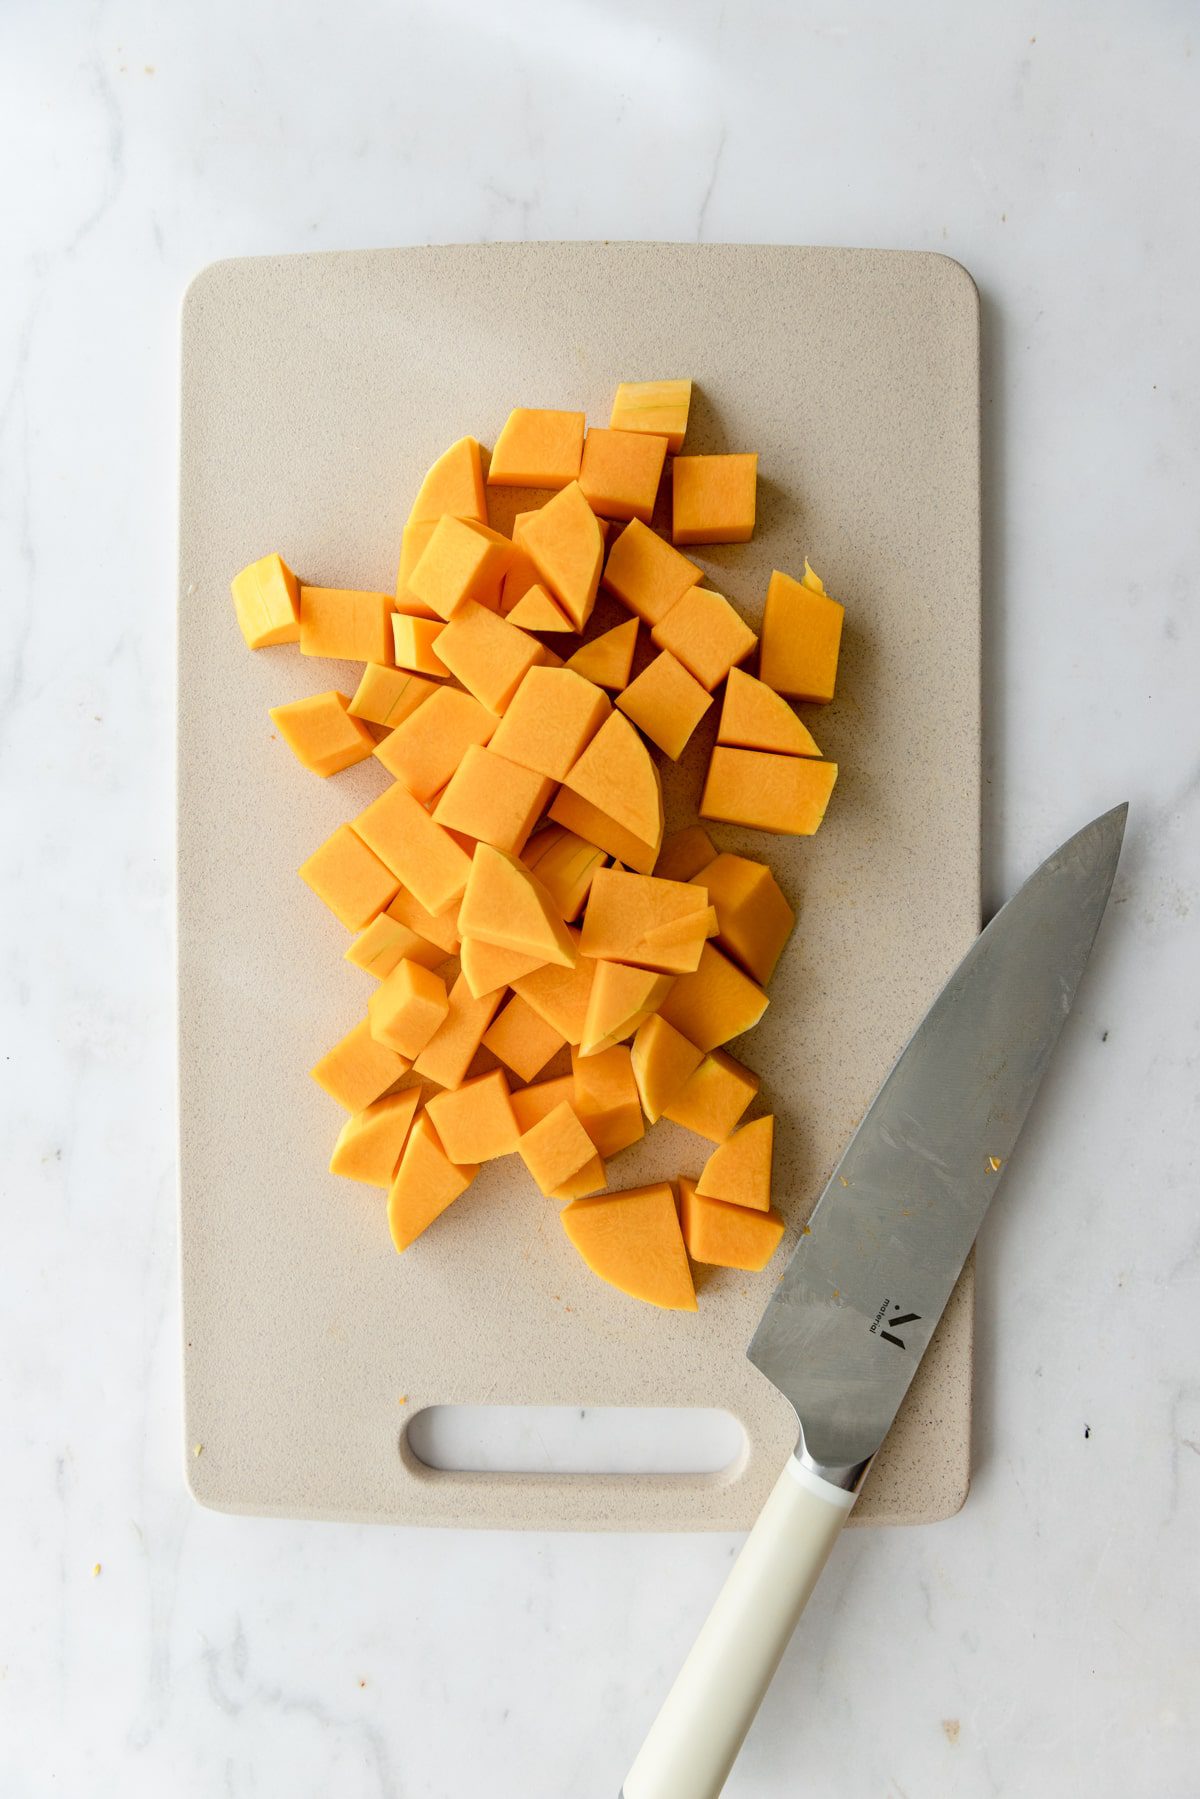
point(557, 1440)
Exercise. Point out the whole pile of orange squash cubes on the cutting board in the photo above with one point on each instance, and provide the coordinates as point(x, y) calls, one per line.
point(512, 890)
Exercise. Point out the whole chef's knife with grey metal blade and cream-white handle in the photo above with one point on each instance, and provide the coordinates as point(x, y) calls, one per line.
point(870, 1280)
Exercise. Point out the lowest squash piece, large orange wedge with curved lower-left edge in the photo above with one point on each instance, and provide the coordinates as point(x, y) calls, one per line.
point(634, 1242)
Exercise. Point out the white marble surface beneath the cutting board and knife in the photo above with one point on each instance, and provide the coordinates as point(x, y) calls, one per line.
point(1048, 1640)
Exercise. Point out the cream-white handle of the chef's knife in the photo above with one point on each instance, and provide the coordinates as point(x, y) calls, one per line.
point(704, 1719)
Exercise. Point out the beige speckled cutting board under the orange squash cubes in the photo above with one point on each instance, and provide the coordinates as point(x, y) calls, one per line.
point(316, 393)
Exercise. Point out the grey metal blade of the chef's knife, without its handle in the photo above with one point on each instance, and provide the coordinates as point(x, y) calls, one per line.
point(866, 1287)
